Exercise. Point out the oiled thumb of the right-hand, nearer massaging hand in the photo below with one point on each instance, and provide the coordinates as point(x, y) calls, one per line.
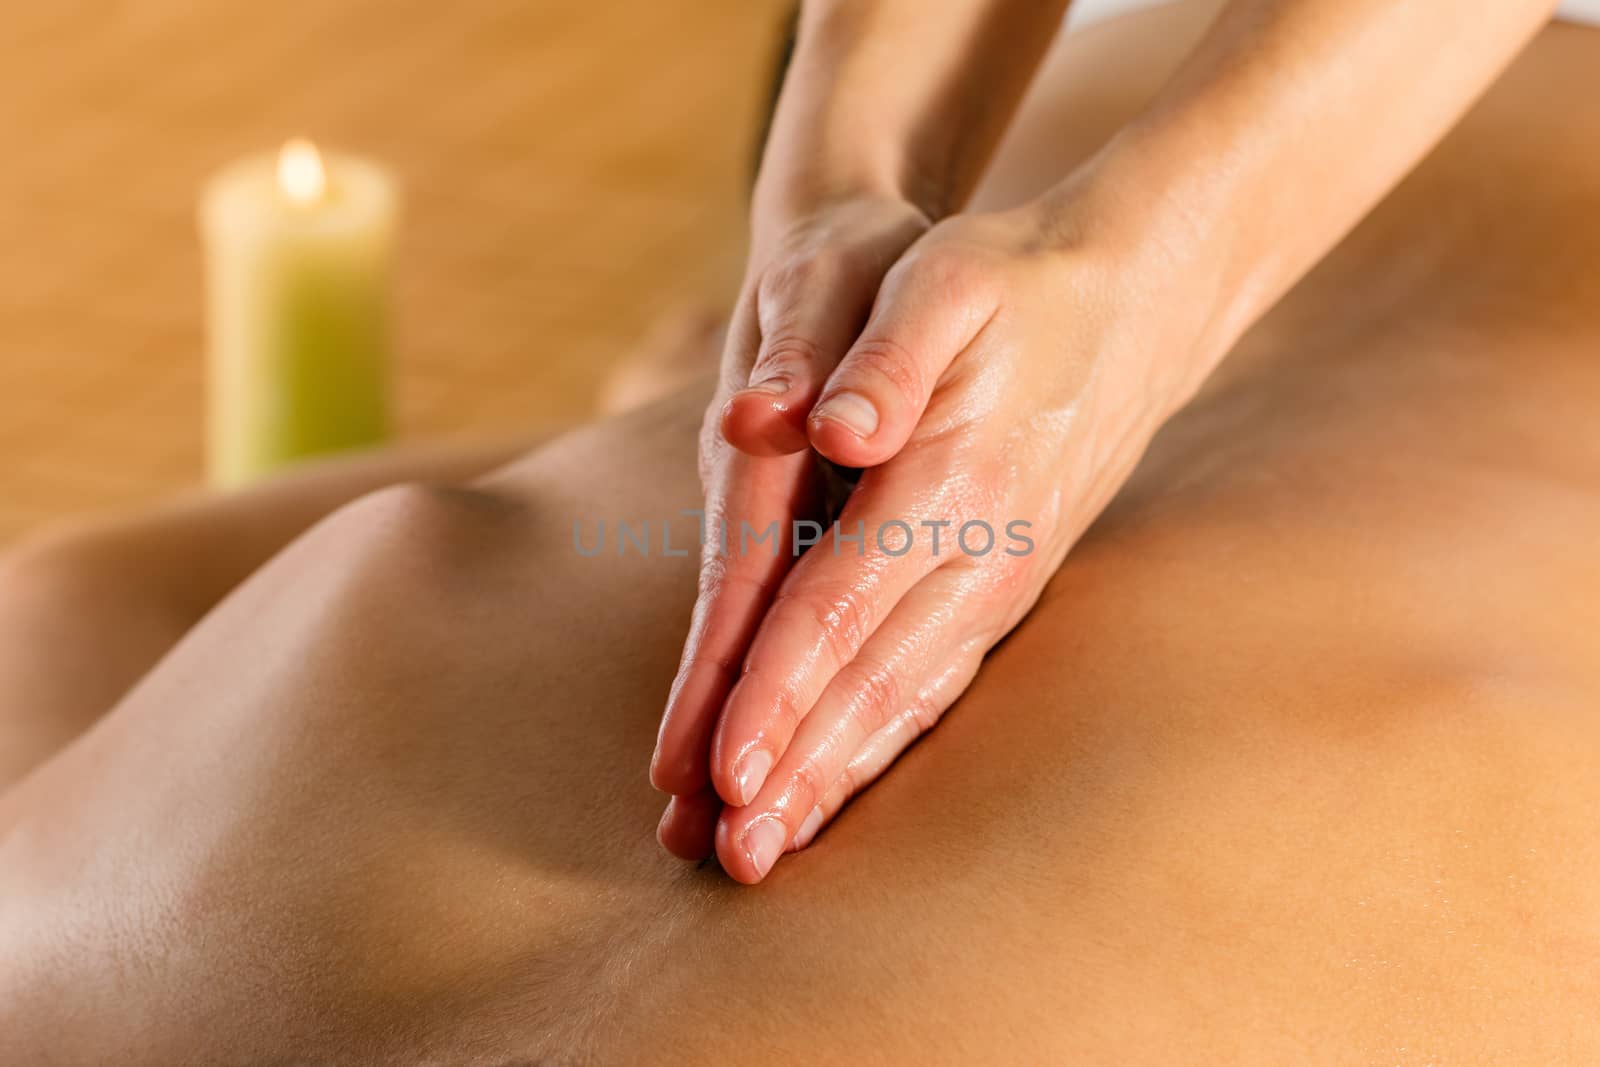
point(929, 311)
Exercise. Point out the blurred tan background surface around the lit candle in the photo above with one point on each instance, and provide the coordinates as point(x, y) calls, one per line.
point(572, 174)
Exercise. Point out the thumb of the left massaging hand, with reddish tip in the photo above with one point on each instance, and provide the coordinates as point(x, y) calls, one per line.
point(809, 311)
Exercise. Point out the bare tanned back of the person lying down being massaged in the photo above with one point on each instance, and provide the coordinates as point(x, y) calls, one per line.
point(1297, 761)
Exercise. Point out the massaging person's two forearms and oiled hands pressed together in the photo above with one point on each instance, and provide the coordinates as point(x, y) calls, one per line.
point(996, 366)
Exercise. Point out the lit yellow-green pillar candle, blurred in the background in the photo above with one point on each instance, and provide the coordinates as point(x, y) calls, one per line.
point(298, 257)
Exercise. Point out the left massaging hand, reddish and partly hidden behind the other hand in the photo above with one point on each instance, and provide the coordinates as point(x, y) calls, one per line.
point(809, 290)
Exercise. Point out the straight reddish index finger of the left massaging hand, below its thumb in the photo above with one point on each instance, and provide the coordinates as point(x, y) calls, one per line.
point(737, 585)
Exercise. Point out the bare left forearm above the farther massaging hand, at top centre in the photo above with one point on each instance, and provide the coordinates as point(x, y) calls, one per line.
point(900, 98)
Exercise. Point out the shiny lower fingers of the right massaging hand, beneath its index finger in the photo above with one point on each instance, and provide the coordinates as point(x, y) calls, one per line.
point(897, 689)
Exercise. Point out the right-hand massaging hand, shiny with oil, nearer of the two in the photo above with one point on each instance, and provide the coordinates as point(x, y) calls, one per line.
point(1004, 388)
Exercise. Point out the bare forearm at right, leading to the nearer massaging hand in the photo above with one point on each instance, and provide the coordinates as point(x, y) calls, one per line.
point(1284, 127)
